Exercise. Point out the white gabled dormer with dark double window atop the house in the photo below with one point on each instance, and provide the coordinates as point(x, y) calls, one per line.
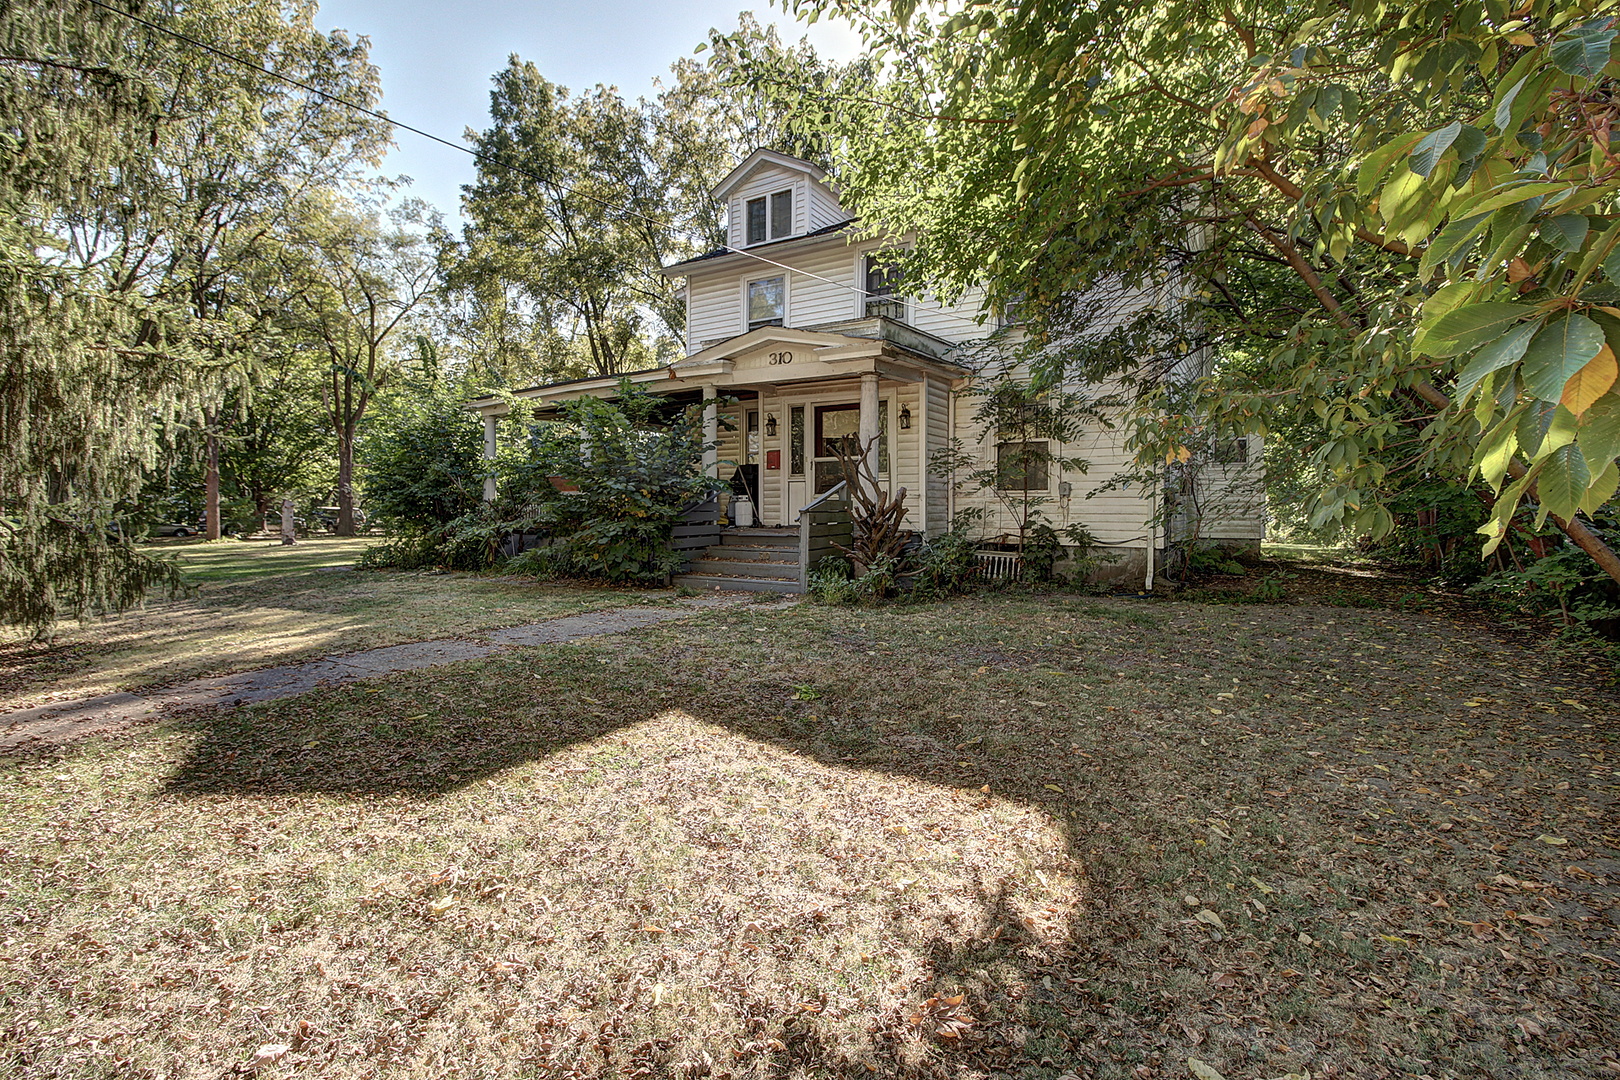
point(775, 197)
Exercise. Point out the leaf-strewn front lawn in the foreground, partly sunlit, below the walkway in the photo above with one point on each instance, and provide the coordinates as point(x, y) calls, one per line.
point(1004, 836)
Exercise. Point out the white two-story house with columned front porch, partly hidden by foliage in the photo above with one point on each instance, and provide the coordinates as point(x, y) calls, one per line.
point(799, 336)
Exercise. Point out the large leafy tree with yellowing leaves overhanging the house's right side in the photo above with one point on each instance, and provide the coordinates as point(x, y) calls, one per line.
point(1418, 193)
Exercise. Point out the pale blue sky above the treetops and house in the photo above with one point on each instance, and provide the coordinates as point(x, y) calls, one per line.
point(437, 61)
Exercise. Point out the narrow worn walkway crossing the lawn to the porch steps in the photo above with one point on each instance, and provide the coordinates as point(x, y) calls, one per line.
point(62, 721)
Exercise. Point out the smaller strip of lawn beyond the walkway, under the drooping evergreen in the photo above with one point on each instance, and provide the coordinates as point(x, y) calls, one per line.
point(260, 605)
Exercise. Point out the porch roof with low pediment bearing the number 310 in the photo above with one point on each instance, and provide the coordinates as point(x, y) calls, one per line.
point(772, 357)
